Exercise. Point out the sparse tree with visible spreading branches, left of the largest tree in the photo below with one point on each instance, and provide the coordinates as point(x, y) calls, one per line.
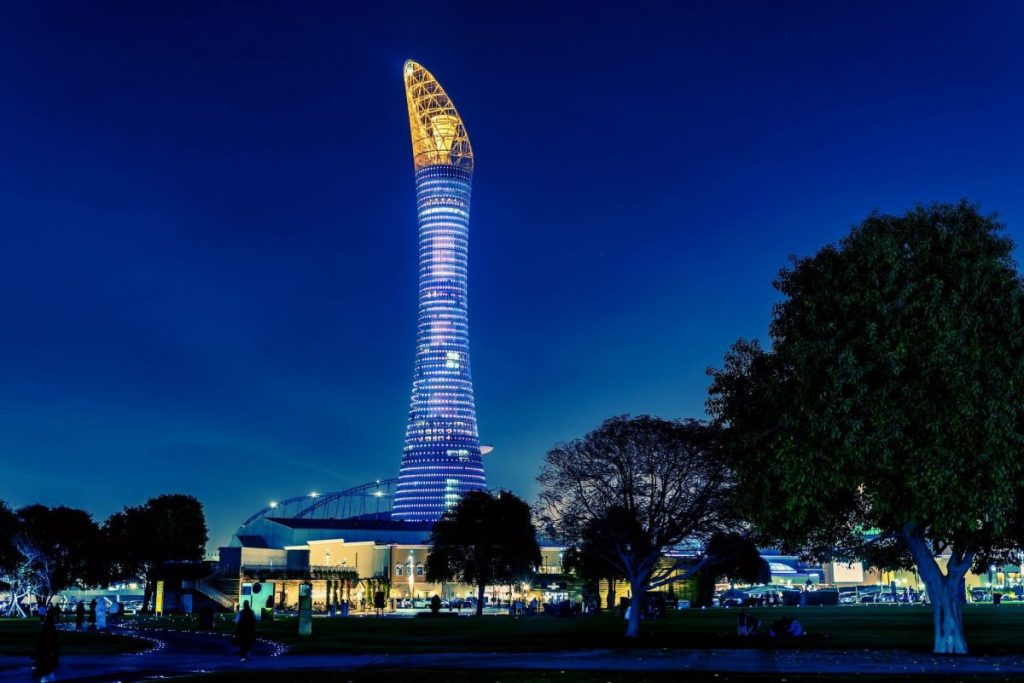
point(645, 486)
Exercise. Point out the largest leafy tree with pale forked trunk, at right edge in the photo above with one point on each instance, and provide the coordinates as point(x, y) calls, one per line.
point(892, 399)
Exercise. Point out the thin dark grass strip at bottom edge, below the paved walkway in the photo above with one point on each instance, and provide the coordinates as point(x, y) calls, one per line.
point(429, 676)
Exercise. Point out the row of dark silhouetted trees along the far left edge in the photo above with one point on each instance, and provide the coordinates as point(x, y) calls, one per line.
point(46, 550)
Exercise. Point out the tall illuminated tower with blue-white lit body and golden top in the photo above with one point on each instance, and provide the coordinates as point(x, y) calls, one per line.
point(442, 460)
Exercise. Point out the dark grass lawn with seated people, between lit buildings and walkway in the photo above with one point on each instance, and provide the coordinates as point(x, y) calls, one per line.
point(990, 631)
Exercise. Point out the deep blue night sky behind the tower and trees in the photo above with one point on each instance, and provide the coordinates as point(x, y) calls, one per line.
point(209, 264)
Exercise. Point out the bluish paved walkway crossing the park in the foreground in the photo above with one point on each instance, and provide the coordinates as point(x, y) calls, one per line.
point(176, 654)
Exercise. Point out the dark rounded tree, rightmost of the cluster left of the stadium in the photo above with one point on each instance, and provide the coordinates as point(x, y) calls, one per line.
point(166, 528)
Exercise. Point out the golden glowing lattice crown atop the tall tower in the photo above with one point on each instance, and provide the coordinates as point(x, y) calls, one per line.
point(440, 139)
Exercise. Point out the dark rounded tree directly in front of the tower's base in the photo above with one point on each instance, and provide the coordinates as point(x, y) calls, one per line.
point(484, 540)
